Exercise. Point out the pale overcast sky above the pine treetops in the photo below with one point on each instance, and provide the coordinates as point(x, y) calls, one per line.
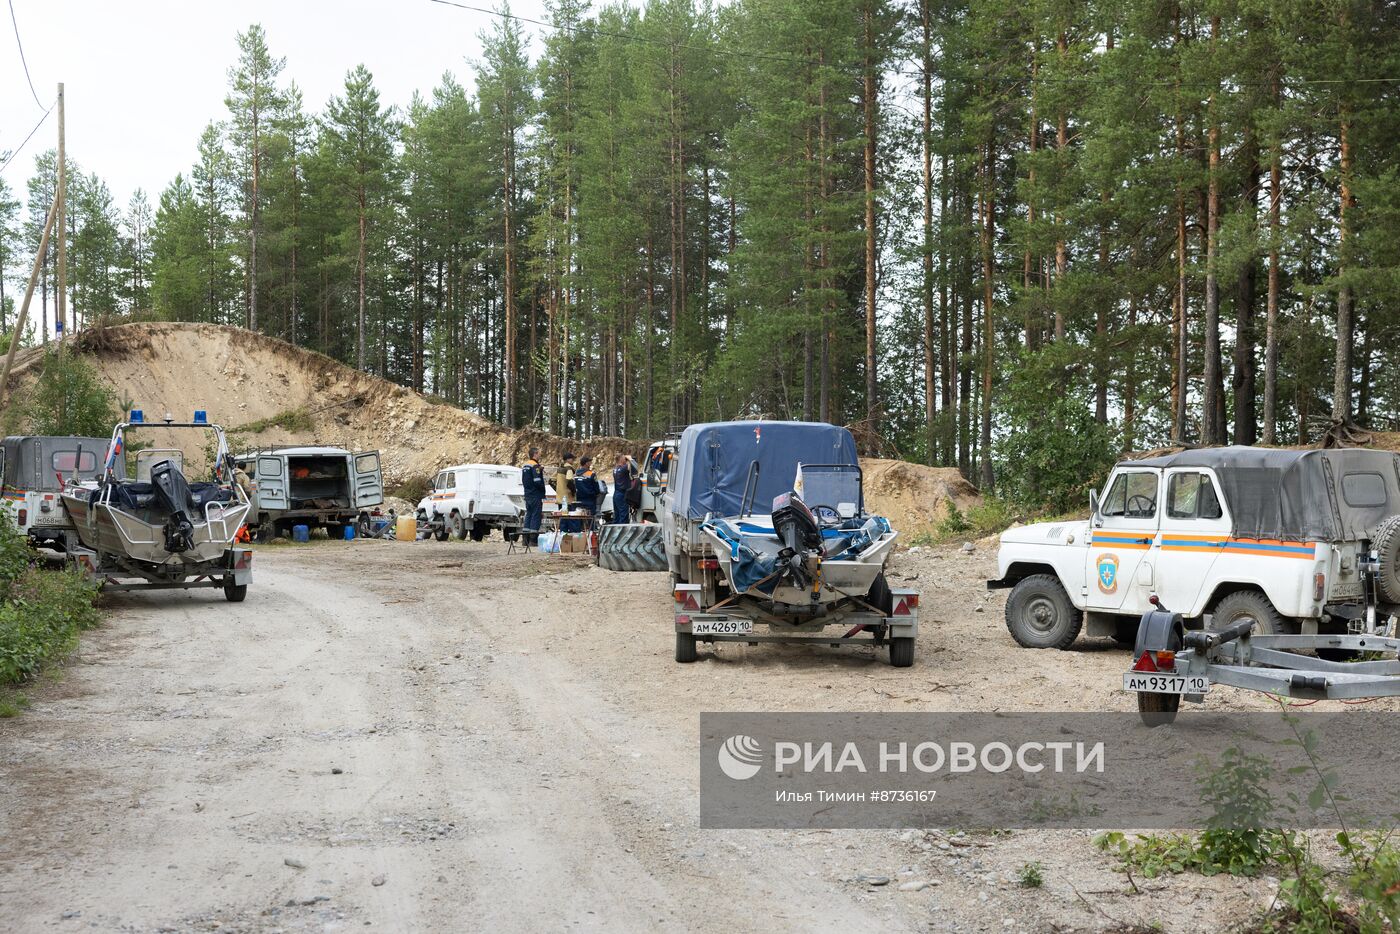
point(143, 78)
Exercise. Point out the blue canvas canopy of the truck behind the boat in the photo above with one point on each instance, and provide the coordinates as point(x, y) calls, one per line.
point(713, 463)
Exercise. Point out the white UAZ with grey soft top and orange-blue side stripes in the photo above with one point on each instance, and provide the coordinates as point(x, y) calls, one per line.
point(1298, 541)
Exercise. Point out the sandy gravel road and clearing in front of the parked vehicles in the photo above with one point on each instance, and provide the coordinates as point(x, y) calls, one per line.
point(440, 737)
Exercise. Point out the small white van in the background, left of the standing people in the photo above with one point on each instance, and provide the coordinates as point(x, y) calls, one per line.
point(472, 499)
